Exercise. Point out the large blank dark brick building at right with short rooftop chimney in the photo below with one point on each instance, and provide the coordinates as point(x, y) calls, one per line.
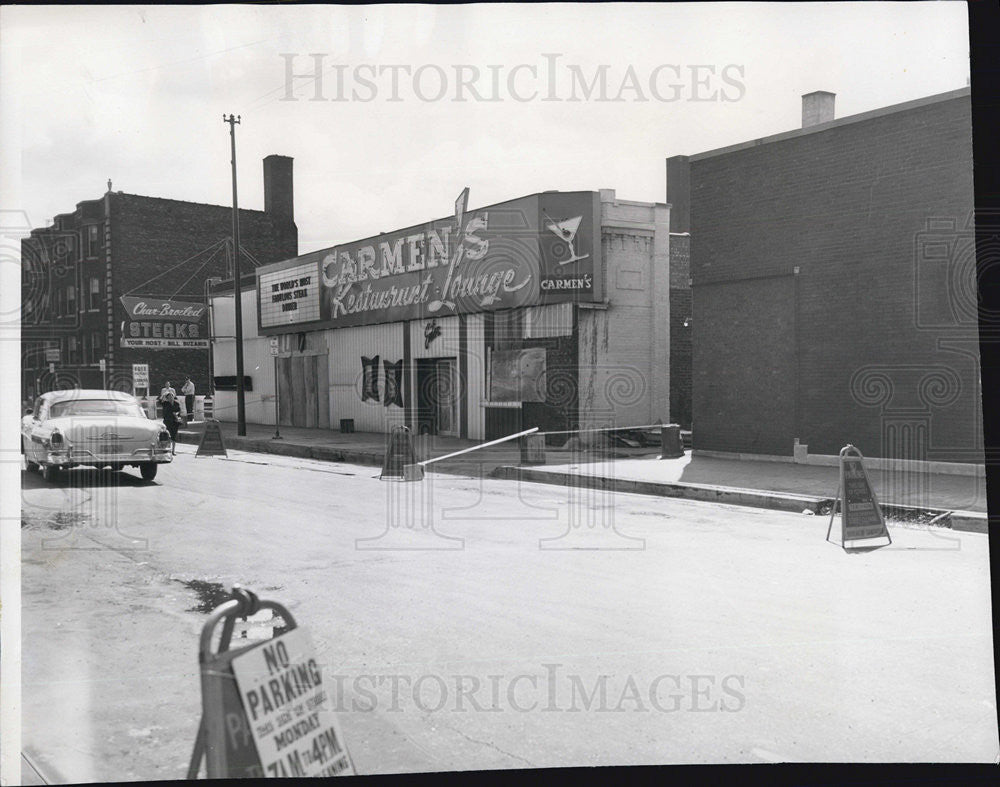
point(834, 286)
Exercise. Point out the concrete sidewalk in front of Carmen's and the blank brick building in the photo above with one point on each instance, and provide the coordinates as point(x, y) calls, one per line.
point(779, 485)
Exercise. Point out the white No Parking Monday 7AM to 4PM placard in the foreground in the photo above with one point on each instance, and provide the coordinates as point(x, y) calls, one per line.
point(281, 686)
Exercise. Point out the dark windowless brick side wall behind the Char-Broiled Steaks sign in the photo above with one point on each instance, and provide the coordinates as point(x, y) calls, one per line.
point(151, 236)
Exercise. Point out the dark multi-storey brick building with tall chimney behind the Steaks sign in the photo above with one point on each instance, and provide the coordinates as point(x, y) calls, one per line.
point(75, 272)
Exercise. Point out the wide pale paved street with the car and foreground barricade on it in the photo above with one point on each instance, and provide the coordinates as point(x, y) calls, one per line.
point(685, 633)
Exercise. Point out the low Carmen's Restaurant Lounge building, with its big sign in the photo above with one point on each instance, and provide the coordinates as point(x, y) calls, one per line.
point(551, 311)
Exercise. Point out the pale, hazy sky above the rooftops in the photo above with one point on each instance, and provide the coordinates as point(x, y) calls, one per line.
point(136, 94)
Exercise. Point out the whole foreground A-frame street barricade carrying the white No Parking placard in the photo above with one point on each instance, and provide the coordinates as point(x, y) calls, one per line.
point(261, 704)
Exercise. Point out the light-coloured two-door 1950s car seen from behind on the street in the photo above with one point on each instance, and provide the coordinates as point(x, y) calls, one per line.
point(92, 428)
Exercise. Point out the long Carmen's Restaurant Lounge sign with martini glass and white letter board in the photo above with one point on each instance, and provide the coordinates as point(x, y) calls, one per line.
point(544, 248)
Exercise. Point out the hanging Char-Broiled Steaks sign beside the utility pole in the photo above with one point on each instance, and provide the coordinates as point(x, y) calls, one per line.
point(158, 323)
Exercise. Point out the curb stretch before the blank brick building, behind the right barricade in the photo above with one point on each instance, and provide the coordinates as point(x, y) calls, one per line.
point(965, 521)
